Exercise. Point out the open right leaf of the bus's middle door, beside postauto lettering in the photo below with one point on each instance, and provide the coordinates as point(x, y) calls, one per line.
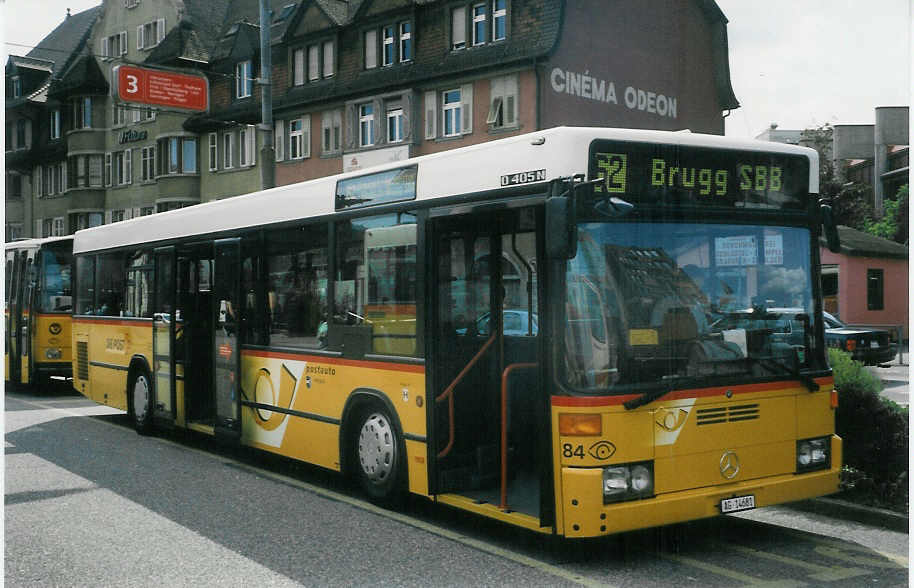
point(227, 359)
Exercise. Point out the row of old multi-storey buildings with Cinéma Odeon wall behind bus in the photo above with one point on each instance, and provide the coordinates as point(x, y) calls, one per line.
point(354, 84)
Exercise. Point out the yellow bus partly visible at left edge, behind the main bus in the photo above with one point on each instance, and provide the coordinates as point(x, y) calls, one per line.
point(37, 309)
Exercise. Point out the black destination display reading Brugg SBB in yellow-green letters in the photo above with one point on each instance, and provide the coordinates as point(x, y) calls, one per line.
point(676, 175)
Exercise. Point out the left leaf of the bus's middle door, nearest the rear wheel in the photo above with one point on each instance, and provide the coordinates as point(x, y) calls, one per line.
point(164, 328)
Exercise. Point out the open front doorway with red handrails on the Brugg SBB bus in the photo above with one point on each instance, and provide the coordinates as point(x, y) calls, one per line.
point(489, 418)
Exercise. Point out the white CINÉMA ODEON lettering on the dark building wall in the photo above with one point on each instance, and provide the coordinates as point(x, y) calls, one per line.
point(583, 85)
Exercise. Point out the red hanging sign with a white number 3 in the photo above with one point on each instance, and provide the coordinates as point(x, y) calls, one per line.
point(162, 88)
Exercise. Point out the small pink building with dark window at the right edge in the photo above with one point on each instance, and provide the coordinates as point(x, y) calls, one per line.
point(867, 283)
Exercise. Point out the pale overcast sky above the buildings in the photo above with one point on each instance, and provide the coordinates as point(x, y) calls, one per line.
point(797, 63)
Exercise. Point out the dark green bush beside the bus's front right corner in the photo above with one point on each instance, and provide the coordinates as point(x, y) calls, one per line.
point(875, 434)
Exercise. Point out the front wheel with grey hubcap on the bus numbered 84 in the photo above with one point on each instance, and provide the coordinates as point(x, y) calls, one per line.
point(379, 456)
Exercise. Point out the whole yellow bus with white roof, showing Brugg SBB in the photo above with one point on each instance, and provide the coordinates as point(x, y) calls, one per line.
point(579, 331)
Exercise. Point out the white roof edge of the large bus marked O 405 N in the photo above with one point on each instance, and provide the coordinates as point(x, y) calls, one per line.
point(561, 151)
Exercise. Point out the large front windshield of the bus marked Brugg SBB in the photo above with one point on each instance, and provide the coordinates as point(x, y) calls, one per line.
point(649, 303)
